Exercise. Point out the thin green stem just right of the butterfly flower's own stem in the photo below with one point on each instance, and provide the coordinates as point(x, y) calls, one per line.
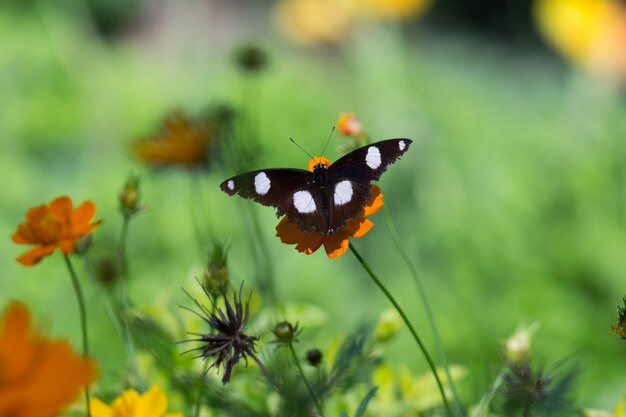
point(429, 314)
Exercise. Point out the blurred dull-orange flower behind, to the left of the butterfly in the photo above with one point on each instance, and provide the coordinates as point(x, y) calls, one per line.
point(182, 142)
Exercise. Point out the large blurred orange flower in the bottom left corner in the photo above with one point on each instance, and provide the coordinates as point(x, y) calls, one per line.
point(39, 377)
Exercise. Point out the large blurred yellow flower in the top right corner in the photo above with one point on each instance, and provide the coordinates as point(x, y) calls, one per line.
point(590, 33)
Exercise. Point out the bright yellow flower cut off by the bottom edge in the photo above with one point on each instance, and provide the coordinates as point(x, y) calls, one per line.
point(152, 403)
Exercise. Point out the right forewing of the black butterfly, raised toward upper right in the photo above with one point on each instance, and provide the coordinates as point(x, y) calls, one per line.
point(369, 162)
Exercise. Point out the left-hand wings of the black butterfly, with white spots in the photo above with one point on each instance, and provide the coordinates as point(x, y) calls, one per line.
point(291, 191)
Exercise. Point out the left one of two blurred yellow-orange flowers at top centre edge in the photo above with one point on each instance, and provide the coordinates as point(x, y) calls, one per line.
point(314, 21)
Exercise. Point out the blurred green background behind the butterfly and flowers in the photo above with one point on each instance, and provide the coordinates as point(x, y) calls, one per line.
point(512, 201)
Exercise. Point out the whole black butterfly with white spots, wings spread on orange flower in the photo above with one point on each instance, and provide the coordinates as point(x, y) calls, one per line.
point(321, 201)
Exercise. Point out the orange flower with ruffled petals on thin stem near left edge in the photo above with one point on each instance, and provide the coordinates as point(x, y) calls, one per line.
point(54, 225)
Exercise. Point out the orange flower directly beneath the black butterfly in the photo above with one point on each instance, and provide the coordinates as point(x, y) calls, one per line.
point(337, 243)
